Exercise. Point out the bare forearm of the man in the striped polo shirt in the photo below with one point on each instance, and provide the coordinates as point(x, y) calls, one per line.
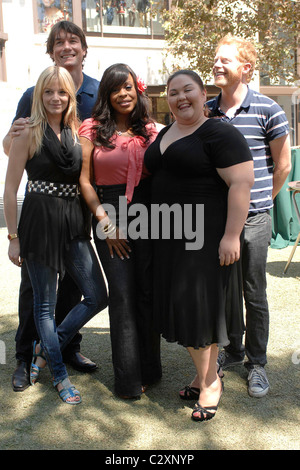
point(281, 155)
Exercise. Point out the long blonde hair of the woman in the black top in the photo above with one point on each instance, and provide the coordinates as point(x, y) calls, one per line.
point(38, 119)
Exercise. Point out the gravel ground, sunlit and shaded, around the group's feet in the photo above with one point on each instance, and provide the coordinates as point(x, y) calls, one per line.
point(37, 419)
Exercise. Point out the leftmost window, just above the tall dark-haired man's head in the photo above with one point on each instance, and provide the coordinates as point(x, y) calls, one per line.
point(49, 12)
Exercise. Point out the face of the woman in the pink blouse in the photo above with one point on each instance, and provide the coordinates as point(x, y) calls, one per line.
point(124, 98)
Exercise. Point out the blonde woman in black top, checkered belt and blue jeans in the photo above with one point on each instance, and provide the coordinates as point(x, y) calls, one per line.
point(50, 237)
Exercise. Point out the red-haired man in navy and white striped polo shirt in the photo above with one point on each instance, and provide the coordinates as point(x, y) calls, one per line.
point(264, 124)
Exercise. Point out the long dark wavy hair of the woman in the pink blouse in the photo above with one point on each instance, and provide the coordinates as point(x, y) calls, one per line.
point(103, 112)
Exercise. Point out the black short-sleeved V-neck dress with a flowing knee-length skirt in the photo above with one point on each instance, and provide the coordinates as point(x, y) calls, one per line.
point(195, 299)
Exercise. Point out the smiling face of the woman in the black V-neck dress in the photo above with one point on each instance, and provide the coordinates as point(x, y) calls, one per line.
point(186, 99)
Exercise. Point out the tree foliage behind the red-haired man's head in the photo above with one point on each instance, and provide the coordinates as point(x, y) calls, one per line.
point(194, 27)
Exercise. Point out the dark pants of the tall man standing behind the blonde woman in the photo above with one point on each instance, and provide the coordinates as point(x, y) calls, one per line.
point(67, 297)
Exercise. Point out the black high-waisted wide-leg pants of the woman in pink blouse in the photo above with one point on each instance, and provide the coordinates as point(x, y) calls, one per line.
point(135, 344)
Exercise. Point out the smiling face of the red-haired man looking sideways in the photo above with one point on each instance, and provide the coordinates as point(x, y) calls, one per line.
point(228, 70)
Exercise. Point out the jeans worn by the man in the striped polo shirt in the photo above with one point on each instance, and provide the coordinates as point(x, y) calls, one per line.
point(258, 232)
